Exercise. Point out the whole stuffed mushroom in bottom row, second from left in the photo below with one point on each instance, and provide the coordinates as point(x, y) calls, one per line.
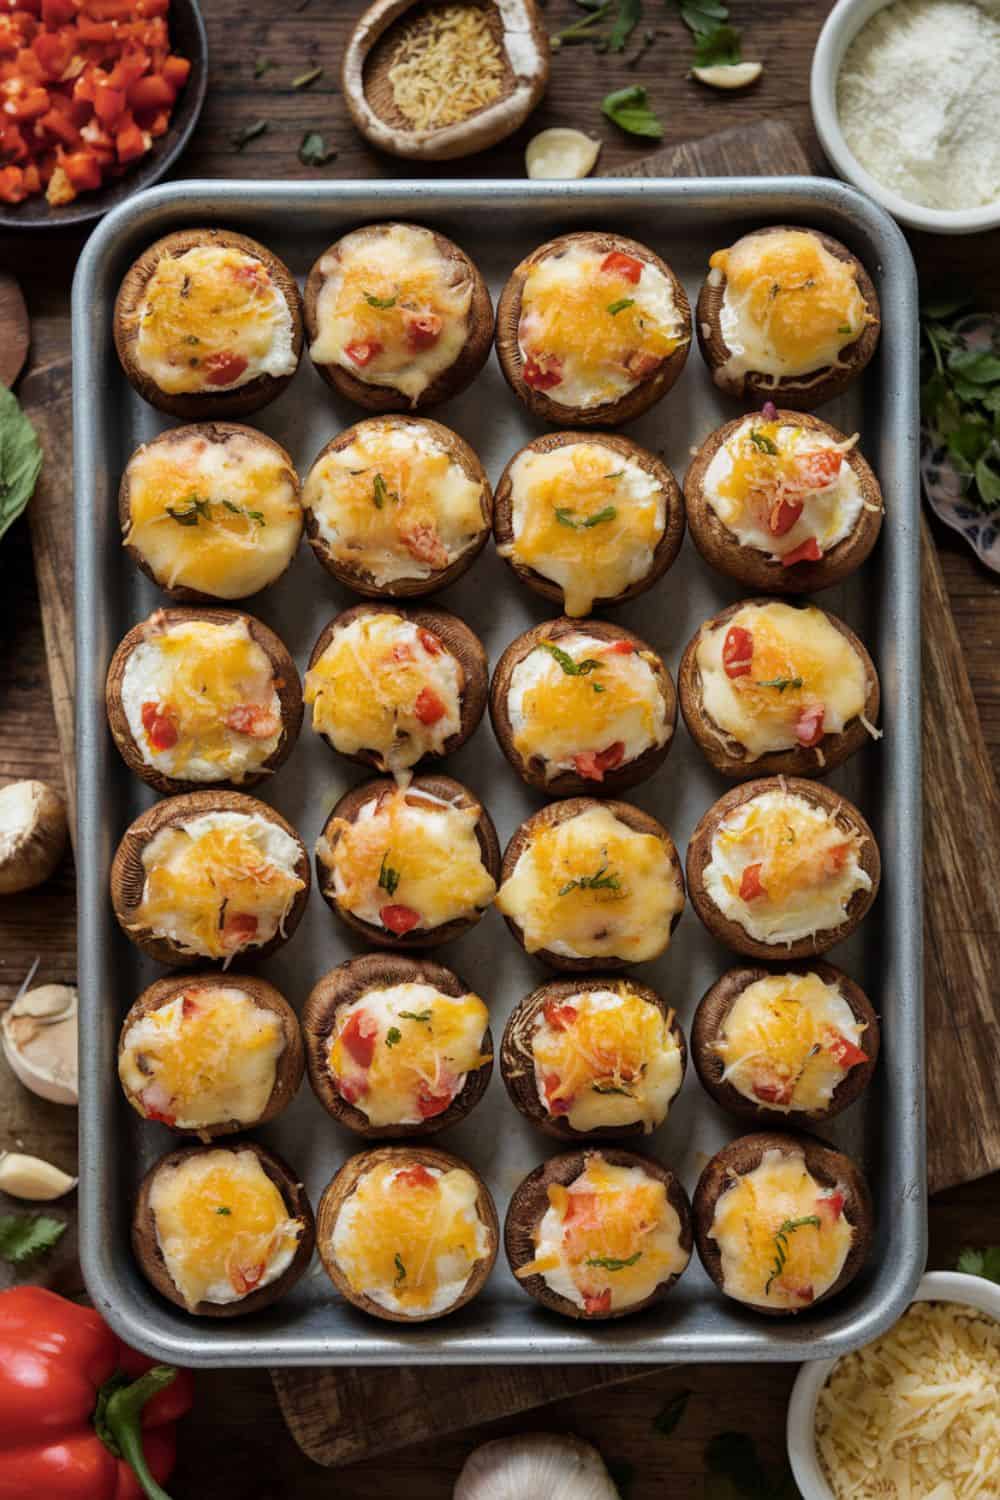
point(407, 1234)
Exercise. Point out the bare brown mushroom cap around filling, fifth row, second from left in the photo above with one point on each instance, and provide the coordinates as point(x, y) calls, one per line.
point(349, 983)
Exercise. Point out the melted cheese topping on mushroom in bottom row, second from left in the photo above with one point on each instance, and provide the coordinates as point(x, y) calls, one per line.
point(410, 1238)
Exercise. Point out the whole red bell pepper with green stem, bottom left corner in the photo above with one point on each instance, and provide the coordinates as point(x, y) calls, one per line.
point(82, 1415)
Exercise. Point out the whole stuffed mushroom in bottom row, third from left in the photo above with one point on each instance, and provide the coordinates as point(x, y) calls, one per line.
point(599, 1234)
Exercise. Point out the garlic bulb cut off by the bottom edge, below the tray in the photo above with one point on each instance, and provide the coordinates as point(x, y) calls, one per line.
point(536, 1465)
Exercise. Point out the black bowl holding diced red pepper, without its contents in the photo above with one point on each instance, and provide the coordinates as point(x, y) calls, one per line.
point(188, 40)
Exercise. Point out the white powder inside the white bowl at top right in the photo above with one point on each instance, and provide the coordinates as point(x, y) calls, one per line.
point(918, 100)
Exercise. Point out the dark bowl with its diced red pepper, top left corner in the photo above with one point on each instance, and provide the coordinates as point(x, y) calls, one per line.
point(97, 100)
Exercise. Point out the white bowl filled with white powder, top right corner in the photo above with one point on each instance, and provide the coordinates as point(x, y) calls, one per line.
point(906, 100)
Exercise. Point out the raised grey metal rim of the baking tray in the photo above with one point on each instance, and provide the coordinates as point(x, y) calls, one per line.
point(770, 197)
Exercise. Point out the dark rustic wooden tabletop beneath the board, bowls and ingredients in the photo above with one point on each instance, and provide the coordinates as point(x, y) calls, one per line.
point(236, 1447)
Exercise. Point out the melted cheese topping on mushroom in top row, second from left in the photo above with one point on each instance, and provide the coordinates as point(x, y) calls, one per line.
point(392, 308)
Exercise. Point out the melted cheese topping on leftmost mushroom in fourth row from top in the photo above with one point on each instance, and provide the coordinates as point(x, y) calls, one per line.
point(220, 884)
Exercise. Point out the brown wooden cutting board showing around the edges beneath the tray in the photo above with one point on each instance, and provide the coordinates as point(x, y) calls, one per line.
point(340, 1417)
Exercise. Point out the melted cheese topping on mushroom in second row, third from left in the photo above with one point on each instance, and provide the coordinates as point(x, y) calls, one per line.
point(585, 518)
